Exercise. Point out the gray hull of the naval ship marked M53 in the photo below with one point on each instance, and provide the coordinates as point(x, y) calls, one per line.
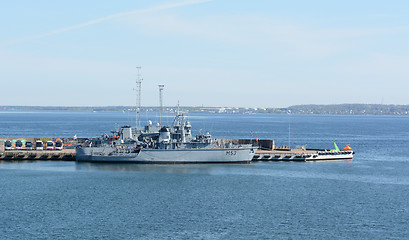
point(162, 156)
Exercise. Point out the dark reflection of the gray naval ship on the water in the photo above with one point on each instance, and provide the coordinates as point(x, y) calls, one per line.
point(167, 168)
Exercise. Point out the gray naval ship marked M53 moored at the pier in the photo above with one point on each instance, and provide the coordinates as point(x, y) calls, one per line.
point(162, 144)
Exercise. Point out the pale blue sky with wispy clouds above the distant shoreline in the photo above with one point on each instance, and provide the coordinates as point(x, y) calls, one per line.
point(227, 53)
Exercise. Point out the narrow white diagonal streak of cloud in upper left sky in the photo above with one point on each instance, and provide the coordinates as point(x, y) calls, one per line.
point(110, 17)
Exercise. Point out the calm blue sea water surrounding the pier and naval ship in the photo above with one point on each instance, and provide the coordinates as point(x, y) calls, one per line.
point(367, 198)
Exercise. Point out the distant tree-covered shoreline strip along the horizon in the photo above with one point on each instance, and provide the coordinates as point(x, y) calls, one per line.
point(336, 109)
